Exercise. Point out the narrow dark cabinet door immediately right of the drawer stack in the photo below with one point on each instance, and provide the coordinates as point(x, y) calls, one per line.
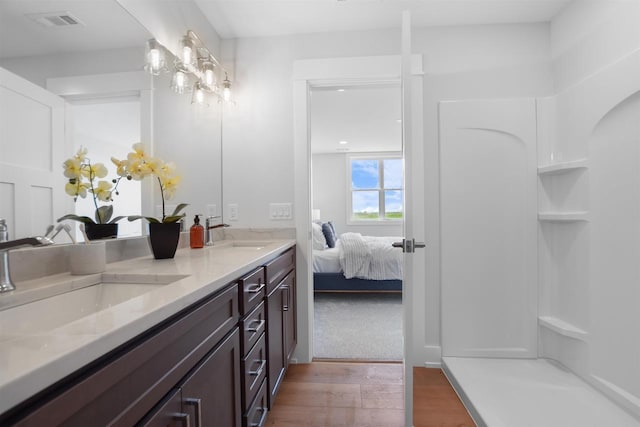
point(275, 341)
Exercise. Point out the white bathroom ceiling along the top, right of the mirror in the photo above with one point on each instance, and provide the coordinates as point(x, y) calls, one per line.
point(256, 18)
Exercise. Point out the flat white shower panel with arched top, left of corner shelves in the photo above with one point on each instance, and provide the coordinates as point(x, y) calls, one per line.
point(489, 228)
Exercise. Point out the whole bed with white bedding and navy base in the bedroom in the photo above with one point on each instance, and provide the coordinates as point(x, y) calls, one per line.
point(358, 263)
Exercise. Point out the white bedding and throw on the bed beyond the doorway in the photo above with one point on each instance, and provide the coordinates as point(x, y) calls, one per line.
point(366, 257)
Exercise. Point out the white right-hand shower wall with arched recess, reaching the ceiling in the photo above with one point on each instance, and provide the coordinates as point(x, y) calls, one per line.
point(591, 268)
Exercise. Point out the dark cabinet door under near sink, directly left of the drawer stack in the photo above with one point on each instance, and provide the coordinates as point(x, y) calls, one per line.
point(211, 394)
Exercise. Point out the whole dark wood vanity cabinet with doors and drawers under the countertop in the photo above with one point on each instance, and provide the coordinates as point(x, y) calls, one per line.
point(216, 363)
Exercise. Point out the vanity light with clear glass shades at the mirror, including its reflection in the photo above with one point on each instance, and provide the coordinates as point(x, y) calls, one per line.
point(193, 60)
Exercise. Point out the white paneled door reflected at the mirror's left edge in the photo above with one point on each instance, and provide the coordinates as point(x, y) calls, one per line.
point(31, 154)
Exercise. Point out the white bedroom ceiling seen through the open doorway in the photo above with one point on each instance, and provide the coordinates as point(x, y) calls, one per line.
point(367, 117)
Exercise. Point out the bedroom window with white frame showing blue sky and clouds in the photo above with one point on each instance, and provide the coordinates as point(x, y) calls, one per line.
point(376, 188)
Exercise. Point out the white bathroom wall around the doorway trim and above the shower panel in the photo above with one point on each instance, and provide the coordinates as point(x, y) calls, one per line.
point(502, 61)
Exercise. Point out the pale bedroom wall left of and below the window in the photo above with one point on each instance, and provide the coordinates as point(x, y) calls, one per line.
point(329, 181)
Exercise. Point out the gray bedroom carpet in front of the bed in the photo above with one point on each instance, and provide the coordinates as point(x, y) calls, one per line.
point(358, 326)
